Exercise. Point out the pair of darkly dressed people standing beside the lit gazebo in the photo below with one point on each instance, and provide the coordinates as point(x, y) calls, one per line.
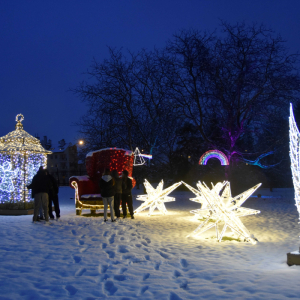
point(45, 192)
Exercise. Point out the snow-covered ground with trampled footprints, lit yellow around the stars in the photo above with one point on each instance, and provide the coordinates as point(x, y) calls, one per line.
point(82, 257)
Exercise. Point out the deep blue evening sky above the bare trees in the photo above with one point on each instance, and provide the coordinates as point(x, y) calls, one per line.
point(46, 46)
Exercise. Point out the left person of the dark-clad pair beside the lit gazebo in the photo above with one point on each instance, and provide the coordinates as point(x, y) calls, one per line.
point(41, 186)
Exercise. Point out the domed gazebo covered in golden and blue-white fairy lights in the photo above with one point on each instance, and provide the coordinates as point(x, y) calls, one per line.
point(21, 155)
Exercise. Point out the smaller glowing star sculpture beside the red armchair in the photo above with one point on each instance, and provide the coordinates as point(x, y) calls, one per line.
point(156, 198)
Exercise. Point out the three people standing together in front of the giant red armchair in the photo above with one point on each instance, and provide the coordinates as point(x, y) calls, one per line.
point(115, 189)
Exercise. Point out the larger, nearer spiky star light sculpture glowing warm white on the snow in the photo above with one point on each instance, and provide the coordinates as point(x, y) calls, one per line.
point(218, 207)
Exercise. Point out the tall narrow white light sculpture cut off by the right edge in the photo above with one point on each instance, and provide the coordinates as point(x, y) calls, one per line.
point(295, 157)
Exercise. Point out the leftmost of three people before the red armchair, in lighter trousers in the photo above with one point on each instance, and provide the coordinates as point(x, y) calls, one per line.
point(107, 192)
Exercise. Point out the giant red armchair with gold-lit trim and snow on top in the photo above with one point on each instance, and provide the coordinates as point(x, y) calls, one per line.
point(87, 191)
